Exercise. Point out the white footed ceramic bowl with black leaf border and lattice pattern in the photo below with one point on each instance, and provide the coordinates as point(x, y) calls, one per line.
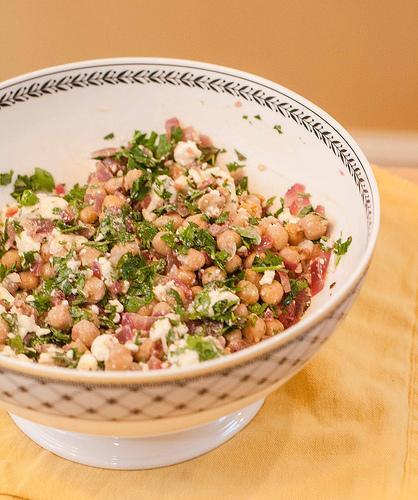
point(53, 118)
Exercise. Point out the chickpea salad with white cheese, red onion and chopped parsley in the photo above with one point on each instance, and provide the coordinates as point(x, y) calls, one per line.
point(164, 258)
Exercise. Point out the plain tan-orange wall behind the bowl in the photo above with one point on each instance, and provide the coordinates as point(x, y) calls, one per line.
point(357, 59)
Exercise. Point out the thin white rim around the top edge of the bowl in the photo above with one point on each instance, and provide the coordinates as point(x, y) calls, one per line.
point(253, 352)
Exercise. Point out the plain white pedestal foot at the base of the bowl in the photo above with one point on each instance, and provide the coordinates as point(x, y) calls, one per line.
point(138, 453)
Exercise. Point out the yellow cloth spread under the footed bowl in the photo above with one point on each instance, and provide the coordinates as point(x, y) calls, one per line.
point(345, 427)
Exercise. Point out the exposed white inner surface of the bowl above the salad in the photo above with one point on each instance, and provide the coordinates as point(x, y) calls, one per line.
point(55, 118)
